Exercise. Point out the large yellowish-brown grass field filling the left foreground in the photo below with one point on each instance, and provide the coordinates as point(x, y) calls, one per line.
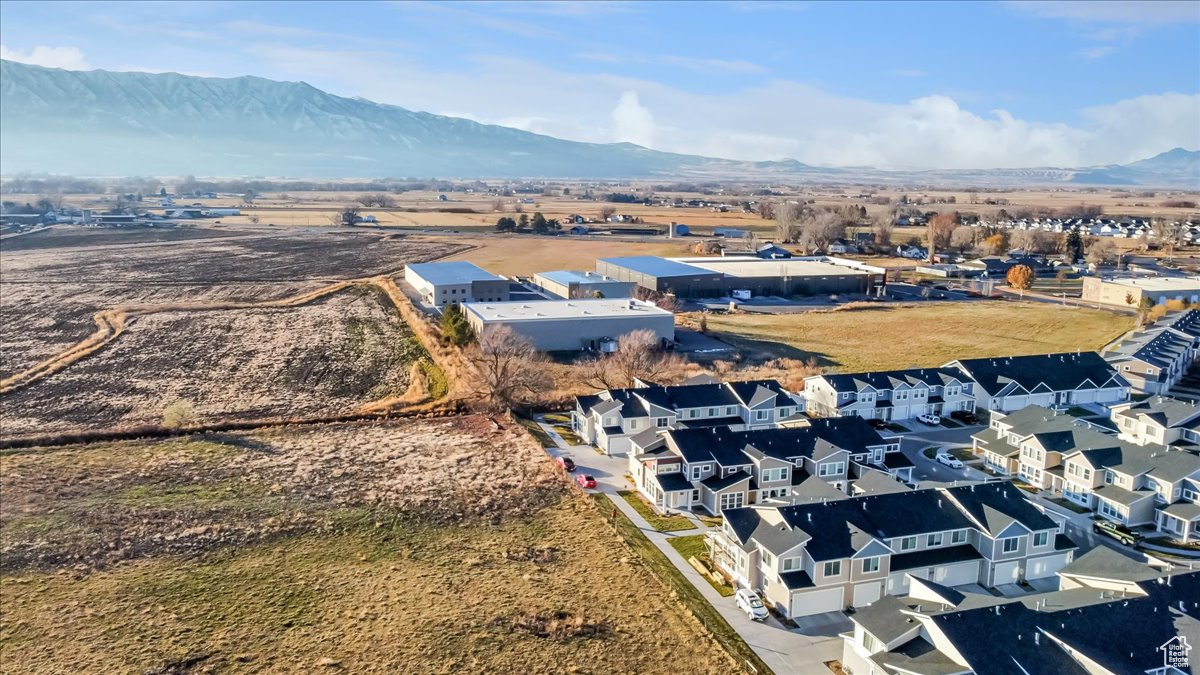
point(357, 548)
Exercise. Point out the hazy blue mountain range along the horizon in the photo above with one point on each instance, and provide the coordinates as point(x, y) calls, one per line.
point(101, 123)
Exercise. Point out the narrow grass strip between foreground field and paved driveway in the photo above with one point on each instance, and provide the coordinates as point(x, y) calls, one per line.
point(689, 595)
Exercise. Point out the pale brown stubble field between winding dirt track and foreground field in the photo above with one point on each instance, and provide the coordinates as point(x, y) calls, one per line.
point(325, 359)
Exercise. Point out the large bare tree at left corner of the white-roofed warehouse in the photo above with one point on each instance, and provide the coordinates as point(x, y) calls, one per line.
point(511, 369)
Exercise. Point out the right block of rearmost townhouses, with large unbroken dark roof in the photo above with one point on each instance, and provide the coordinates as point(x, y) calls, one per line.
point(1010, 384)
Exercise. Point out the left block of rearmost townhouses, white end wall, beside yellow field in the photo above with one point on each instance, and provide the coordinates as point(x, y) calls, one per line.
point(895, 395)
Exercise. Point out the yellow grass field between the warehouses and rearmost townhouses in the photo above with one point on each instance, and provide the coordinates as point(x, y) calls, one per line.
point(886, 337)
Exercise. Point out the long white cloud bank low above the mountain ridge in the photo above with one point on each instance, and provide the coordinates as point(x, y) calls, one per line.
point(769, 122)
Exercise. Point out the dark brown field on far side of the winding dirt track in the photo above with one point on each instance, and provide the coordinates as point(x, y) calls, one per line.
point(50, 295)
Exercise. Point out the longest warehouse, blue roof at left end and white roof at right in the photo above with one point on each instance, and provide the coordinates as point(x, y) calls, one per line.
point(699, 278)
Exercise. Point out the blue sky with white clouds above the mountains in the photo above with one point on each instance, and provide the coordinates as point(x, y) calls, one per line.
point(886, 85)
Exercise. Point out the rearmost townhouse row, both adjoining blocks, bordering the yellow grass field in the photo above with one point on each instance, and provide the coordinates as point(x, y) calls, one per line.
point(1005, 384)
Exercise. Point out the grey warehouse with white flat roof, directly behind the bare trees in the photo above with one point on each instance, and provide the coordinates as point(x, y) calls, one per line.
point(568, 326)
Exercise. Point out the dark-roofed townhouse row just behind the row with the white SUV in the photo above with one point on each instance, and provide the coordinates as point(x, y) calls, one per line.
point(719, 468)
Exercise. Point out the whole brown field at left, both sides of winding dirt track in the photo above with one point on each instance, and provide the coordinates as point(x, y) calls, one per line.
point(201, 330)
